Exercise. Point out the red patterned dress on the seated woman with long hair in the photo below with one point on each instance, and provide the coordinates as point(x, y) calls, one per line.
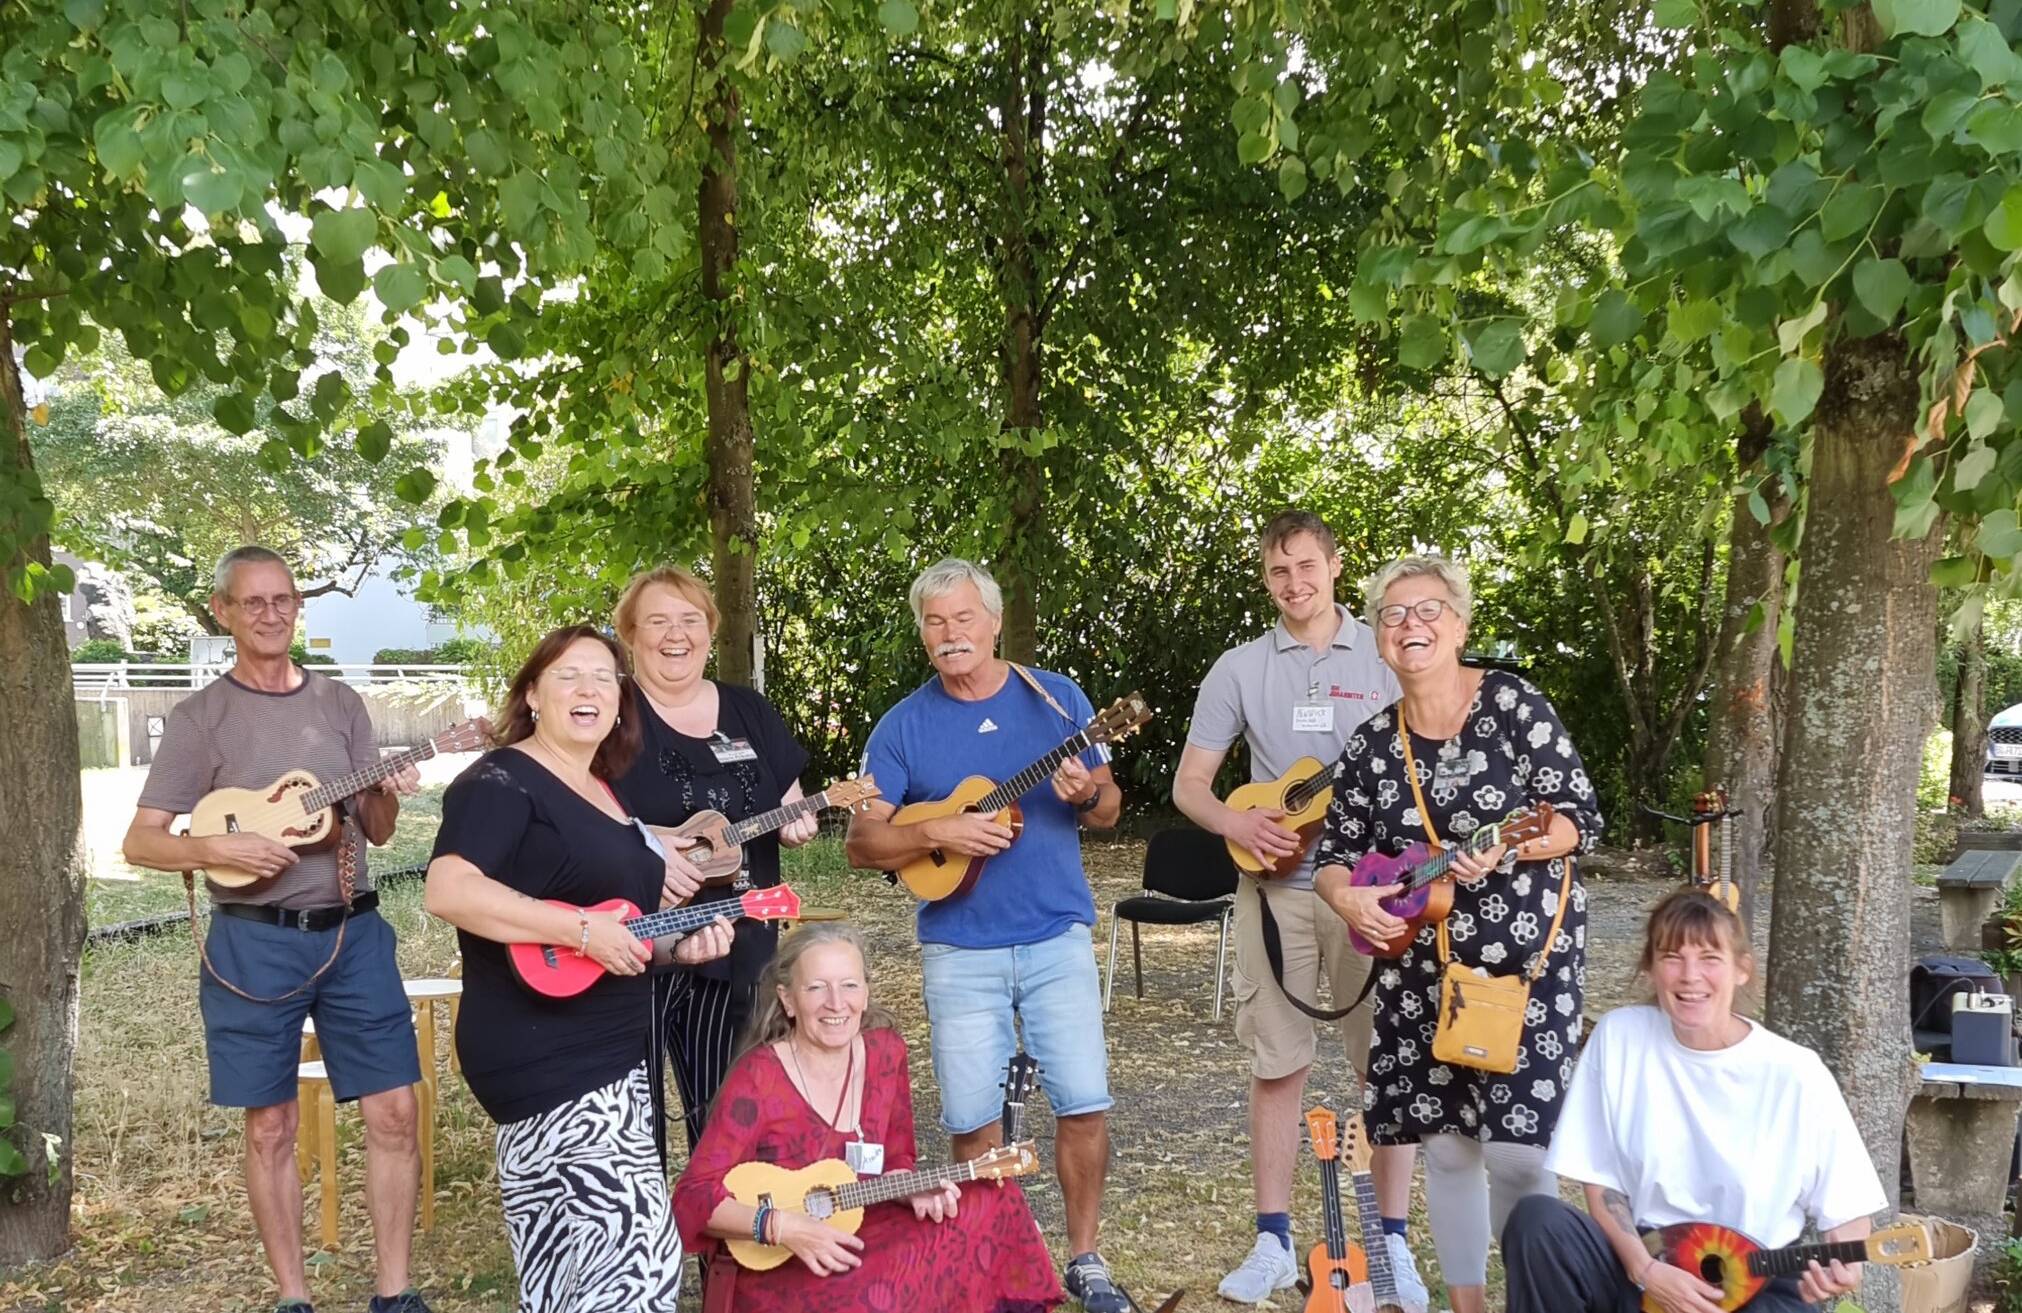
point(988, 1259)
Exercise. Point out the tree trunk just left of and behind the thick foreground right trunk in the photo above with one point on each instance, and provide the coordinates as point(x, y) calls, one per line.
point(1742, 731)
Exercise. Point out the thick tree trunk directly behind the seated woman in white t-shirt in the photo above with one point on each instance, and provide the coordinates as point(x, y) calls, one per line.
point(1861, 681)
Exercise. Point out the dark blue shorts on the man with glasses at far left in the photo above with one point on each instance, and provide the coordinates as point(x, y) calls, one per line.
point(363, 1021)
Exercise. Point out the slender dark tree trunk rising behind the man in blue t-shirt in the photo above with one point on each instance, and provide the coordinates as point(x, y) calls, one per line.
point(1022, 116)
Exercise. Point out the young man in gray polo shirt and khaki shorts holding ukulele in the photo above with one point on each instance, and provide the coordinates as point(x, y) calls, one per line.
point(1295, 693)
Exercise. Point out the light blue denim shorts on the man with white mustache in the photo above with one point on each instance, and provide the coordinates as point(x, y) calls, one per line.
point(1052, 990)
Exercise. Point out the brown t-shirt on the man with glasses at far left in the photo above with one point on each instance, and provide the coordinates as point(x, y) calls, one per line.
point(236, 737)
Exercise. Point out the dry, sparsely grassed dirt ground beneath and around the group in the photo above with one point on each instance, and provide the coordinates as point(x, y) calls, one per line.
point(161, 1215)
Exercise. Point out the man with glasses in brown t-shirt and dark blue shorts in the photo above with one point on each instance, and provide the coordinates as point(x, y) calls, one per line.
point(288, 948)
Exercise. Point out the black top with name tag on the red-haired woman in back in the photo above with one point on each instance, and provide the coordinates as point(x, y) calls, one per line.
point(741, 770)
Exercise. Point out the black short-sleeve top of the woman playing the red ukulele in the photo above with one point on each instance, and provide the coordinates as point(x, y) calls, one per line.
point(525, 1053)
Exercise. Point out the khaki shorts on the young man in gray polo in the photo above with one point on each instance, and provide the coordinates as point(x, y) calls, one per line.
point(1315, 940)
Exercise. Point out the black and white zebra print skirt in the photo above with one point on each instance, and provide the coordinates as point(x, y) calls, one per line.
point(587, 1207)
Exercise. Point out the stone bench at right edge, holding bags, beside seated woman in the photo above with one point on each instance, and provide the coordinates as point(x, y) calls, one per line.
point(1960, 1136)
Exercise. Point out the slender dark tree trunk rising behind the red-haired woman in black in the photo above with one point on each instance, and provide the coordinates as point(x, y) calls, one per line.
point(733, 505)
